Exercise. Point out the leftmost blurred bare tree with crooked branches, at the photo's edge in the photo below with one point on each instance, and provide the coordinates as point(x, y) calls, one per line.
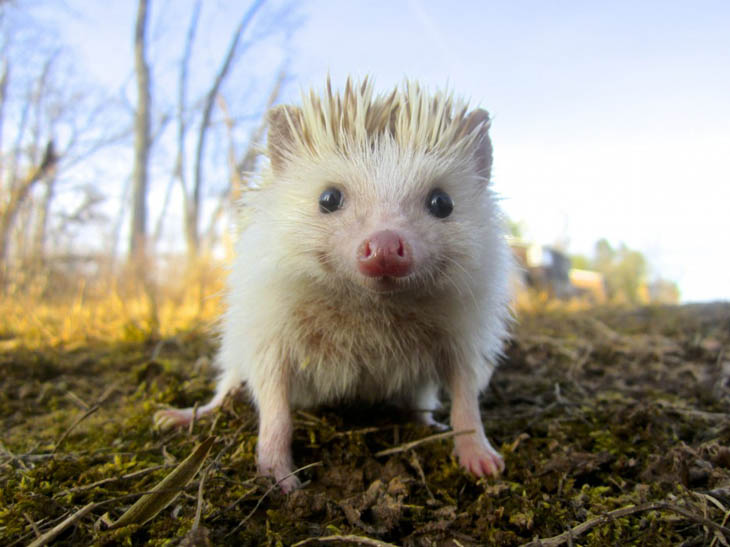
point(50, 123)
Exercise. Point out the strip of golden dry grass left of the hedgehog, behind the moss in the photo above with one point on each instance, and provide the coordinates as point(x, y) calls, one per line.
point(111, 308)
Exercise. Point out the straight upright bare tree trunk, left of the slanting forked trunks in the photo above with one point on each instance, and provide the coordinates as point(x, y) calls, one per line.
point(138, 237)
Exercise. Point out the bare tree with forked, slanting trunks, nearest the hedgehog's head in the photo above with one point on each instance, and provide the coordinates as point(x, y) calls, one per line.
point(197, 128)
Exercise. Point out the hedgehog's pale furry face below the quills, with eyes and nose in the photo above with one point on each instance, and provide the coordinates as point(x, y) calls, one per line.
point(386, 219)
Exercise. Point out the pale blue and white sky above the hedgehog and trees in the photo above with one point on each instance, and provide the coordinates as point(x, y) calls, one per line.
point(610, 119)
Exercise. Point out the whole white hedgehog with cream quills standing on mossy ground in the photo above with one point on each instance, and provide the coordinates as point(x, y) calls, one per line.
point(371, 266)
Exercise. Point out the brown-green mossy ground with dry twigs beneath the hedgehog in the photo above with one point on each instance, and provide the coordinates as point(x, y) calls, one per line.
point(614, 425)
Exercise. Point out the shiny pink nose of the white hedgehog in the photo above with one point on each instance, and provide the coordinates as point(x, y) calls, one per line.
point(384, 254)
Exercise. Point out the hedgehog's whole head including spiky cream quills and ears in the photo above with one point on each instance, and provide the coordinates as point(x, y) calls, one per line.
point(383, 192)
